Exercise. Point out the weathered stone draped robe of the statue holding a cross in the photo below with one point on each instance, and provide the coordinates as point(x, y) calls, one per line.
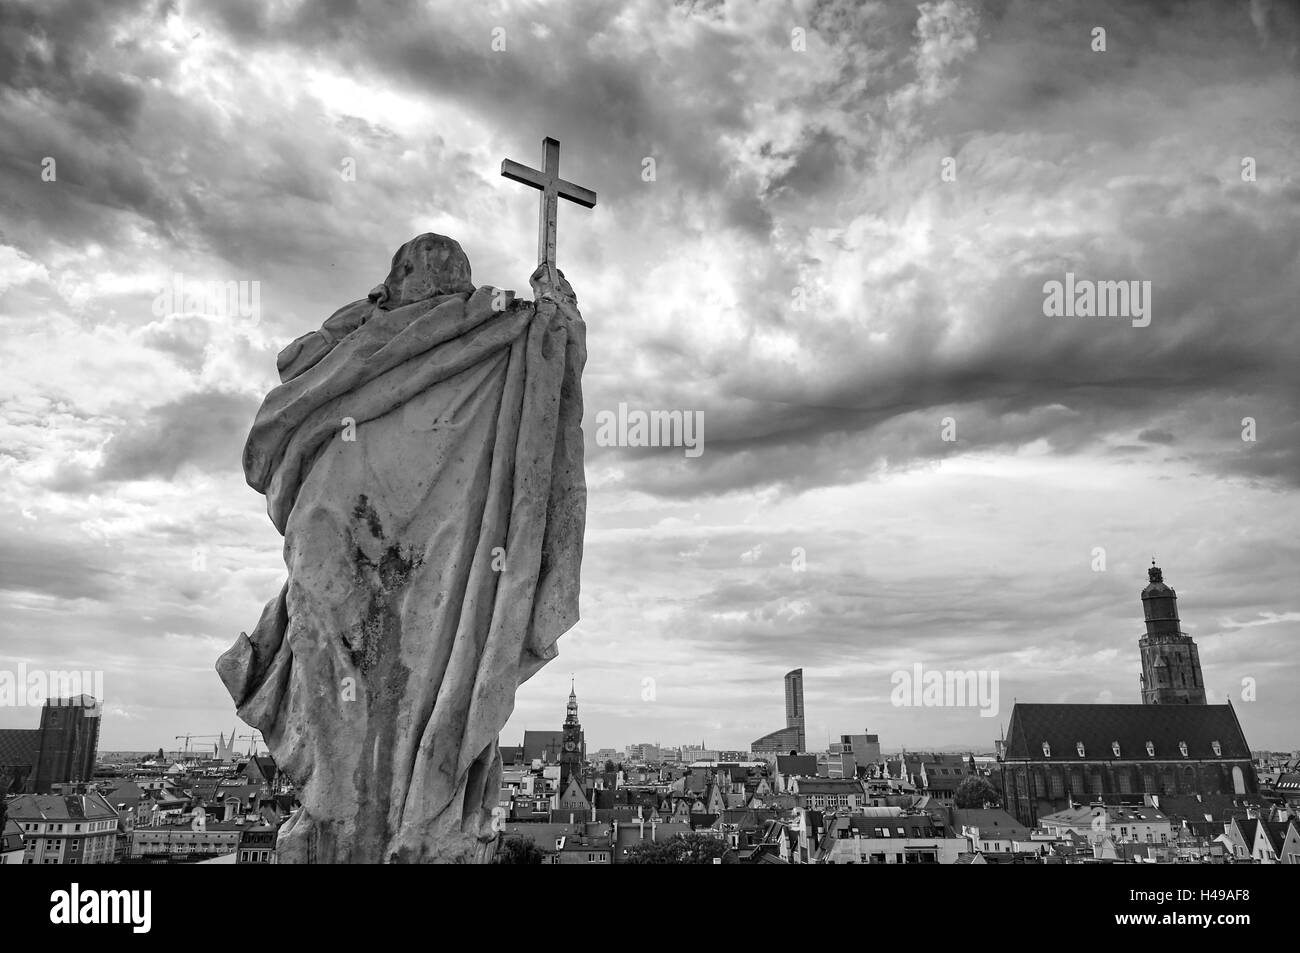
point(434, 562)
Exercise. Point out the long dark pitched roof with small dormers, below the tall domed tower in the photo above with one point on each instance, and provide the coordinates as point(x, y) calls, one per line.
point(1133, 726)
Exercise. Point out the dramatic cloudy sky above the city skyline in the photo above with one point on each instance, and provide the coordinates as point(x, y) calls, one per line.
point(800, 157)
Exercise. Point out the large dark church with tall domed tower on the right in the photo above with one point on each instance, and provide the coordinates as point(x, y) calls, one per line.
point(1173, 743)
